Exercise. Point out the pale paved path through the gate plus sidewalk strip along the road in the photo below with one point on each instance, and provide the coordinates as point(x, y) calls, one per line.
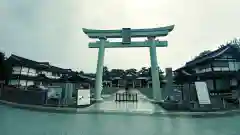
point(109, 106)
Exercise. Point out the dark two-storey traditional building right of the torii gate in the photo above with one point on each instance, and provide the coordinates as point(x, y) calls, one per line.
point(219, 69)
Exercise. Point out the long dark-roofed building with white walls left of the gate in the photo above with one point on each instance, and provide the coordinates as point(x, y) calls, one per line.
point(26, 72)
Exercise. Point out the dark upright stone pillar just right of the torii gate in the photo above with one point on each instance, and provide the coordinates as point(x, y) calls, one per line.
point(168, 90)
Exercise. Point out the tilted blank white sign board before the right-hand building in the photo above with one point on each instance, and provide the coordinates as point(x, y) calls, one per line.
point(202, 93)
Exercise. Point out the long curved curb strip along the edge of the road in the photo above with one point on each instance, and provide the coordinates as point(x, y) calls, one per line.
point(114, 112)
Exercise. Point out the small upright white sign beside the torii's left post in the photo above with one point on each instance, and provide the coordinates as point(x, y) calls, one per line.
point(83, 97)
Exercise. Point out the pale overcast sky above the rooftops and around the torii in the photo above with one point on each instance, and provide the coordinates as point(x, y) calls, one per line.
point(51, 30)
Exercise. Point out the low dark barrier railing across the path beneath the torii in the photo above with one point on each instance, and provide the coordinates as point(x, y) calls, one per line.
point(126, 97)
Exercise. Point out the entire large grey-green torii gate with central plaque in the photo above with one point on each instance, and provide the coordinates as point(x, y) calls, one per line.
point(126, 34)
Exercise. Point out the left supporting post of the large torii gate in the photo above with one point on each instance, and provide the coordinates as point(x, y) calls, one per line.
point(99, 73)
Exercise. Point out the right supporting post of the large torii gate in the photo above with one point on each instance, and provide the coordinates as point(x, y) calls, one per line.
point(157, 95)
